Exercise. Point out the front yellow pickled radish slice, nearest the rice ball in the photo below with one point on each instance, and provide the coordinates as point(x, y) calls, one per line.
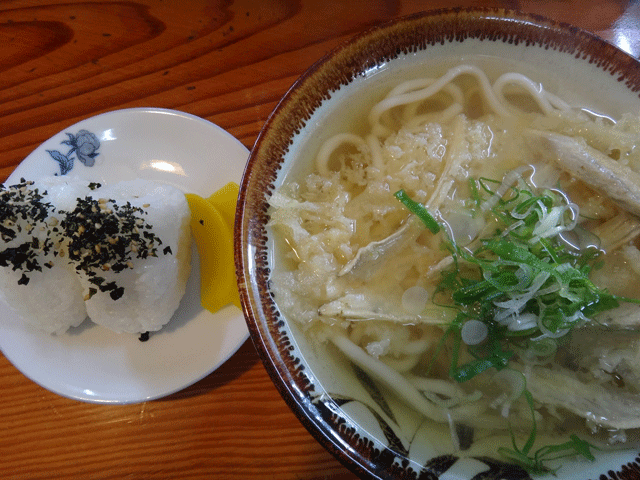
point(214, 240)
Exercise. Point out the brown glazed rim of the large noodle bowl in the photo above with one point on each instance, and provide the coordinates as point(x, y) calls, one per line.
point(339, 67)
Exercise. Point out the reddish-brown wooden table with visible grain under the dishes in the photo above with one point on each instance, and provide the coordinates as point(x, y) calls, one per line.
point(229, 62)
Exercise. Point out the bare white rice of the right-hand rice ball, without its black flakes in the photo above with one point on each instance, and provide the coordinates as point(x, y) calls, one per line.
point(154, 286)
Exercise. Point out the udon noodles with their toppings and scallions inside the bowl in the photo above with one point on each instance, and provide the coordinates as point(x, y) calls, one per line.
point(475, 251)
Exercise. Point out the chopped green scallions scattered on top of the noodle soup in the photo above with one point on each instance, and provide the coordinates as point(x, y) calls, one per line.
point(525, 284)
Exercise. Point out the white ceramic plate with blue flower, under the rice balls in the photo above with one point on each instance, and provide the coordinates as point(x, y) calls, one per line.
point(90, 362)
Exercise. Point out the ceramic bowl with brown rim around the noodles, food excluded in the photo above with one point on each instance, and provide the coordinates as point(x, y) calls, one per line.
point(362, 424)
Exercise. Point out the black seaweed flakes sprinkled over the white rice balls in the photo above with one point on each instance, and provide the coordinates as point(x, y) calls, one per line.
point(98, 235)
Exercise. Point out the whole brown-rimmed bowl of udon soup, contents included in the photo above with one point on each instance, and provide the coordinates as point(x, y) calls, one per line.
point(437, 249)
